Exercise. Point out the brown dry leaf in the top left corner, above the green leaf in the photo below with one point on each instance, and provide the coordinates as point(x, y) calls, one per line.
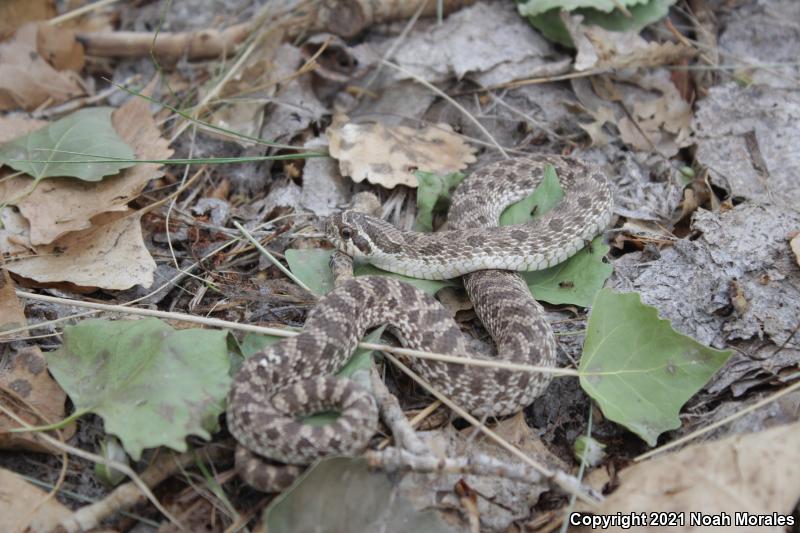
point(27, 80)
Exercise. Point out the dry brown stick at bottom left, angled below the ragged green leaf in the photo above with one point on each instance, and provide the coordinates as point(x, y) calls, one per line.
point(127, 495)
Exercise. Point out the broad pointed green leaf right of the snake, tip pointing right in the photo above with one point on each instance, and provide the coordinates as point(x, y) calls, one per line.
point(638, 369)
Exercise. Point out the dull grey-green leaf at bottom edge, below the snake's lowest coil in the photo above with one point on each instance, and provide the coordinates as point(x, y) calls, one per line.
point(350, 497)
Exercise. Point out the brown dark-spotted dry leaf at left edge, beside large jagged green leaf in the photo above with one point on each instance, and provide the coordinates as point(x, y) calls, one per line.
point(37, 398)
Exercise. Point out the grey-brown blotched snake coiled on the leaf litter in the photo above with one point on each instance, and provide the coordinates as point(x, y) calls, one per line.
point(276, 389)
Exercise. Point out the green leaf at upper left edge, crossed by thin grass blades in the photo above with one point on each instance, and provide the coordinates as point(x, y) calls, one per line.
point(88, 131)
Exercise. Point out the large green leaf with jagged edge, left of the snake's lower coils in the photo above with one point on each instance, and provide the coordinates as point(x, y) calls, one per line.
point(152, 385)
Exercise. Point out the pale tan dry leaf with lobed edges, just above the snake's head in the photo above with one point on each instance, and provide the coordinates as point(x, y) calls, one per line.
point(389, 156)
